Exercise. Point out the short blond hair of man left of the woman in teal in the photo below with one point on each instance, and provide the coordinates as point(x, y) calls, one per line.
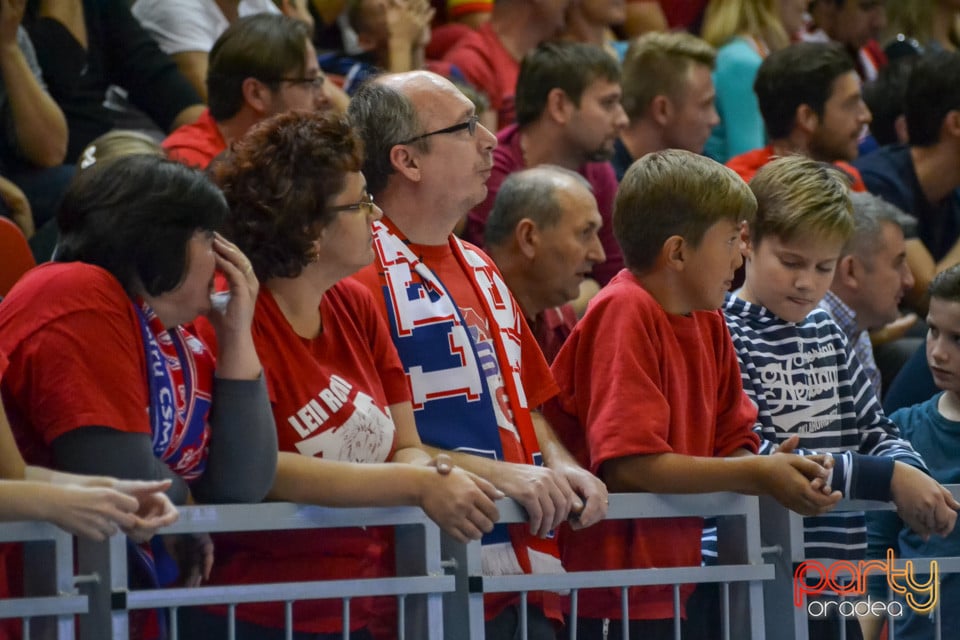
point(658, 63)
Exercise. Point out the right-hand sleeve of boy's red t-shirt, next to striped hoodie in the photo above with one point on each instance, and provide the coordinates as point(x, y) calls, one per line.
point(736, 413)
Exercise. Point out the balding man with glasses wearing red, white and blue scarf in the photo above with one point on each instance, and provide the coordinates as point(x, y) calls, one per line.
point(476, 373)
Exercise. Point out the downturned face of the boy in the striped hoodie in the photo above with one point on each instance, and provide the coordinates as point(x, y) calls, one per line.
point(790, 278)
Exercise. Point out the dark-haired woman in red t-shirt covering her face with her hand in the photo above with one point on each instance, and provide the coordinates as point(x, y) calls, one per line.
point(106, 373)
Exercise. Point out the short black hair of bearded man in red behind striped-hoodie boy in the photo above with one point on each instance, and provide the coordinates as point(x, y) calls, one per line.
point(803, 73)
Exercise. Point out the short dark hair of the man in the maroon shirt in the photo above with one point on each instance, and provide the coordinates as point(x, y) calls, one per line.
point(569, 66)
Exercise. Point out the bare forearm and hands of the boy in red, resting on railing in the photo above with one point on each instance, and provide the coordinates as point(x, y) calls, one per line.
point(788, 478)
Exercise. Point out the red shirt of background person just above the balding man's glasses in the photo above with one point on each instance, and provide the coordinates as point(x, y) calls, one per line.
point(489, 67)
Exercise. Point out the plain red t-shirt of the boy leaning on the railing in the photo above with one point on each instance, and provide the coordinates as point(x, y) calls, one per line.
point(635, 380)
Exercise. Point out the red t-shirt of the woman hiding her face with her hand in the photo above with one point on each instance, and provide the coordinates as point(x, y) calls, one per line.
point(76, 357)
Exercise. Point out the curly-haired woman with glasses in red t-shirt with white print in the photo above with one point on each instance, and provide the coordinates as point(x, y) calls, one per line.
point(299, 209)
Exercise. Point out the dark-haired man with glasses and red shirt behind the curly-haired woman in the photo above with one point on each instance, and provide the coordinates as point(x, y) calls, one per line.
point(262, 65)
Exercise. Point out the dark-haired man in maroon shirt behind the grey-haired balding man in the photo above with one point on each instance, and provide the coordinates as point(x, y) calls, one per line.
point(568, 114)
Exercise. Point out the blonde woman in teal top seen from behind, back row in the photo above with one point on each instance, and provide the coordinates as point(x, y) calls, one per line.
point(744, 33)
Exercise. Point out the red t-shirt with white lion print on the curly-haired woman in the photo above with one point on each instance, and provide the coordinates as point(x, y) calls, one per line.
point(330, 397)
